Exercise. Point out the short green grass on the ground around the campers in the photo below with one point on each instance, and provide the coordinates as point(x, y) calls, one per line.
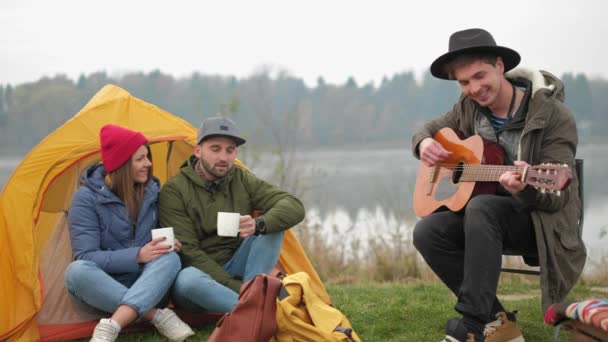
point(417, 311)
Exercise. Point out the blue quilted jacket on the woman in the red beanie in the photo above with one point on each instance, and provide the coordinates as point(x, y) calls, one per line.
point(100, 229)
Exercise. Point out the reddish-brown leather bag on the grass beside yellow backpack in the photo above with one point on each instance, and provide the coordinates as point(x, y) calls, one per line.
point(254, 317)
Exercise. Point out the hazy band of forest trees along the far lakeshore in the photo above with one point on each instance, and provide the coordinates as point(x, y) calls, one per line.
point(274, 107)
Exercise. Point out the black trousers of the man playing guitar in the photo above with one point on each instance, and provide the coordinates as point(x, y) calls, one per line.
point(465, 250)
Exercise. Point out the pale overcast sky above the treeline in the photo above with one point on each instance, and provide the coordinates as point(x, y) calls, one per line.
point(333, 39)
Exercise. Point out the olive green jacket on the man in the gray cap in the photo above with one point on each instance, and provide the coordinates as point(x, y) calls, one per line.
point(190, 204)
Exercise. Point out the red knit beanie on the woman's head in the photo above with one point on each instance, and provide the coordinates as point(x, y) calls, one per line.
point(118, 145)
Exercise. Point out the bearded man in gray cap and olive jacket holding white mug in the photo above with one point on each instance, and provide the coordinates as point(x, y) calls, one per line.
point(209, 183)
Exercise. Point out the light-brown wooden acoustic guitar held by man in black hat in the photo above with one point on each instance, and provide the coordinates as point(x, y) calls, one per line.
point(462, 175)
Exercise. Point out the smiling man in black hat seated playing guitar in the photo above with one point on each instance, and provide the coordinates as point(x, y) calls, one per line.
point(523, 112)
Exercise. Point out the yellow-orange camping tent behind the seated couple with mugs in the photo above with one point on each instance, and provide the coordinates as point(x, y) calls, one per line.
point(34, 238)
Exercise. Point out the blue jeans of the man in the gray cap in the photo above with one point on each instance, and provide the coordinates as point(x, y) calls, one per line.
point(195, 290)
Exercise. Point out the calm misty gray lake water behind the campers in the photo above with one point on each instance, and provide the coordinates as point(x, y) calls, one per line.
point(355, 192)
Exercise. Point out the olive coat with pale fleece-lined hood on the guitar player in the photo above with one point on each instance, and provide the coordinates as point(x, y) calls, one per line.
point(549, 136)
